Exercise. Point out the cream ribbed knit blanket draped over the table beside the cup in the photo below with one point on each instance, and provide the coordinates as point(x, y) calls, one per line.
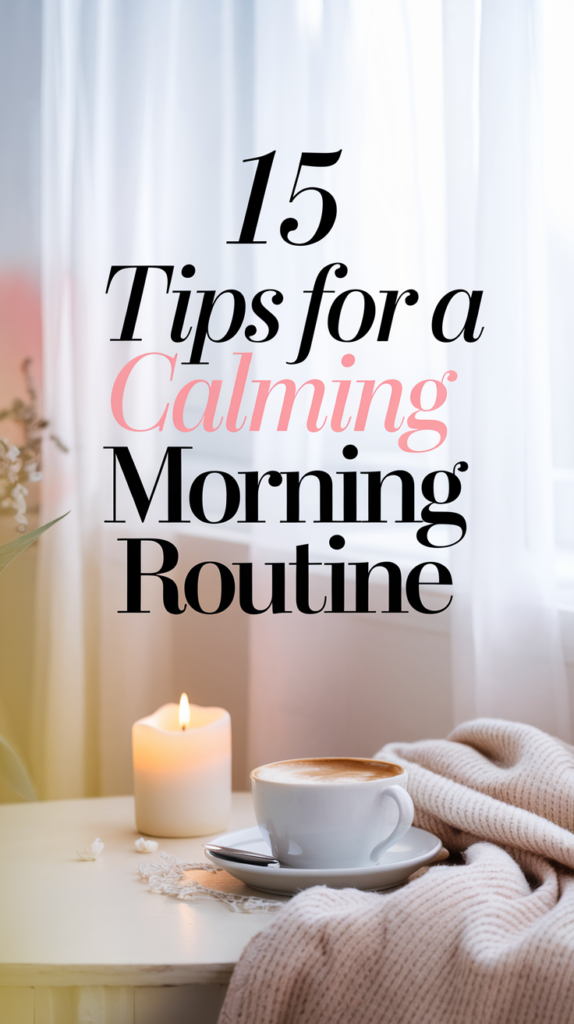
point(490, 941)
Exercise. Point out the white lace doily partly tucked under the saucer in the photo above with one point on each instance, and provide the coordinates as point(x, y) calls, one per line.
point(173, 878)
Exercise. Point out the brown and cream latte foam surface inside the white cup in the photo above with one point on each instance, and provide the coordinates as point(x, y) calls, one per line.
point(325, 771)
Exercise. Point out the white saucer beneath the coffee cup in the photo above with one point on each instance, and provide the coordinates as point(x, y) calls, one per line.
point(415, 849)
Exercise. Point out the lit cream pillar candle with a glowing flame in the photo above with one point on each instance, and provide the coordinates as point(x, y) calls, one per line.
point(183, 771)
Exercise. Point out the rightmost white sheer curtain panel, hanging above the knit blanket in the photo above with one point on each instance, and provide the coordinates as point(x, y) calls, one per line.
point(508, 656)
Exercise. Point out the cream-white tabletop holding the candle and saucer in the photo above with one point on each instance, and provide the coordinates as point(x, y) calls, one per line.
point(67, 922)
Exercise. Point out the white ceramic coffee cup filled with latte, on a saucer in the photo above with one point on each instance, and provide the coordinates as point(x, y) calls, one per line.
point(331, 813)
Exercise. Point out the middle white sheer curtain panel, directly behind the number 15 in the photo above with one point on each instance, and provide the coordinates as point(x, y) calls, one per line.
point(368, 78)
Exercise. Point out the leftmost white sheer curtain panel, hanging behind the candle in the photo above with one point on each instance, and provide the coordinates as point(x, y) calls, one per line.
point(136, 164)
